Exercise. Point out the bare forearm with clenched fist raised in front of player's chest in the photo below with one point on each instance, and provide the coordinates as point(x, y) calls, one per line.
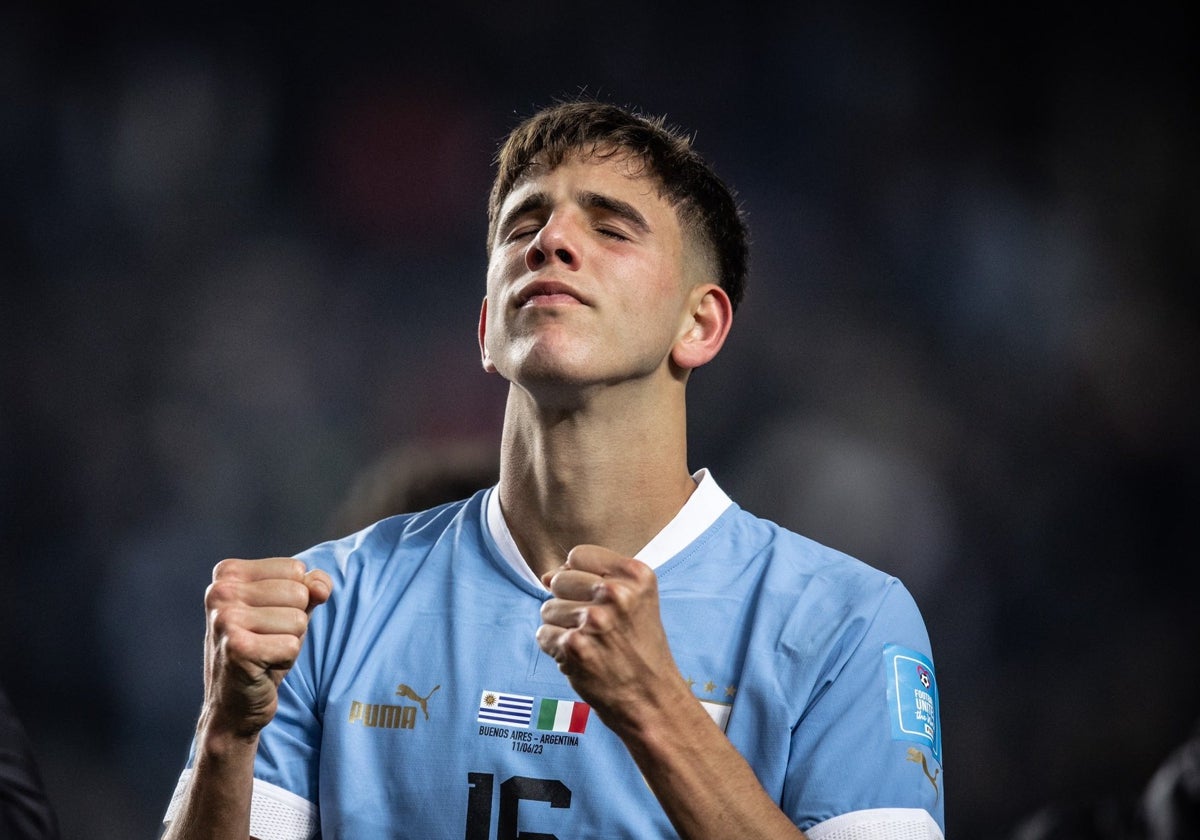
point(605, 632)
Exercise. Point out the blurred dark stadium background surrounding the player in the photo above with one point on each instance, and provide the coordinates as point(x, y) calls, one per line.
point(242, 257)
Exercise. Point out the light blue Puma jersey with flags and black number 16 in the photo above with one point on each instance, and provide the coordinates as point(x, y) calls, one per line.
point(423, 707)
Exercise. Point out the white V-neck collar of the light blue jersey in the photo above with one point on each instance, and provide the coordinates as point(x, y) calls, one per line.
point(700, 512)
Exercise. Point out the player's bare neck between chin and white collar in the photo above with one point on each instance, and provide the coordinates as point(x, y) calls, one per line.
point(609, 472)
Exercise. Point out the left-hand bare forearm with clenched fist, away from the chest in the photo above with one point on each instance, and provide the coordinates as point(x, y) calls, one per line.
point(257, 619)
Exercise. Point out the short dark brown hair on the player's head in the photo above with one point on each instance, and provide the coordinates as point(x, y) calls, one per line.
point(705, 205)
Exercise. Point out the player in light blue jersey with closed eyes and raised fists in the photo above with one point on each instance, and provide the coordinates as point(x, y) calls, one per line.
point(603, 645)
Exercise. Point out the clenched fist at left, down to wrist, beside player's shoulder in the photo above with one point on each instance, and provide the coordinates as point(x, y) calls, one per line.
point(257, 619)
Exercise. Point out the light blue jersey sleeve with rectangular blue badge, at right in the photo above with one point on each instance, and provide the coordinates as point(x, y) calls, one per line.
point(867, 754)
